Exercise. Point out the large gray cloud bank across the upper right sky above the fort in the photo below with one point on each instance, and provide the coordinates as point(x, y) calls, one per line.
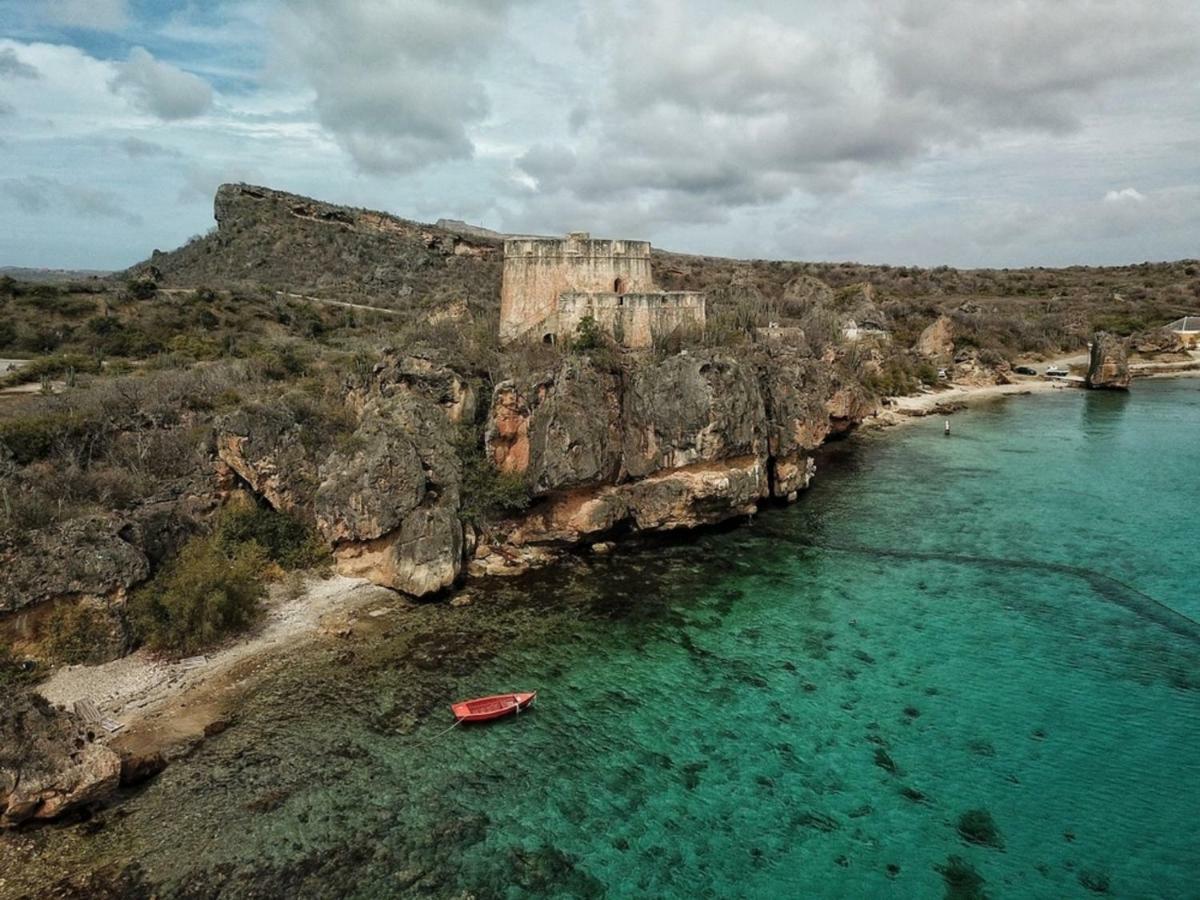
point(747, 106)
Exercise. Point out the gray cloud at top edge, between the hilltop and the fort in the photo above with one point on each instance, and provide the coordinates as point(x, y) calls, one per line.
point(398, 86)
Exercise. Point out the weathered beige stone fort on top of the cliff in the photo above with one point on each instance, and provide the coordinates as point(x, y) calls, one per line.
point(551, 285)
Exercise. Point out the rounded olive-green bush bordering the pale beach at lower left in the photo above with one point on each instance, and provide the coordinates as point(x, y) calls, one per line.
point(201, 597)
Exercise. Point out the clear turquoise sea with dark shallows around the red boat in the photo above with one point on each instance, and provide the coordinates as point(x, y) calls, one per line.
point(993, 633)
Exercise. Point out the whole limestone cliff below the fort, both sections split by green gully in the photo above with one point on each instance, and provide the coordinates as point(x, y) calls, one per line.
point(682, 442)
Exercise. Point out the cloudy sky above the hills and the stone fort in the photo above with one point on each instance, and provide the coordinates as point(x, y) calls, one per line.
point(899, 131)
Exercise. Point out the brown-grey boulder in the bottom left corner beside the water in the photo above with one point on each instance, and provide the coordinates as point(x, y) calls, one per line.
point(47, 765)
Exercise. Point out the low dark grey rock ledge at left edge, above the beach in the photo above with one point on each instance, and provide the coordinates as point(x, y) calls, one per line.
point(89, 557)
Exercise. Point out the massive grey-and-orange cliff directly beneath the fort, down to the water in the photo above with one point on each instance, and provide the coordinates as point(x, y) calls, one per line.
point(701, 439)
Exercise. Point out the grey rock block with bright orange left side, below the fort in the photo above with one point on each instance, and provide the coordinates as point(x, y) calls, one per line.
point(562, 430)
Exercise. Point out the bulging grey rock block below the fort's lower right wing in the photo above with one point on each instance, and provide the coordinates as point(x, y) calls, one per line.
point(692, 409)
